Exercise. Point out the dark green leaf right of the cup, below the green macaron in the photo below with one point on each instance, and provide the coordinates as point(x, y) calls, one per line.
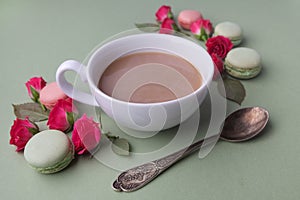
point(234, 90)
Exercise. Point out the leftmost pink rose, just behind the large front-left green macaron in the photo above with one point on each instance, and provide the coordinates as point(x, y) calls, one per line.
point(21, 132)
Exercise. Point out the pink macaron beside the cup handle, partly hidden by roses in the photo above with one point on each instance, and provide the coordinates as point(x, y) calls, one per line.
point(50, 94)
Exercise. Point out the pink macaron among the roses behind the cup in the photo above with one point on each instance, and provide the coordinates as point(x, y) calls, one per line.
point(187, 17)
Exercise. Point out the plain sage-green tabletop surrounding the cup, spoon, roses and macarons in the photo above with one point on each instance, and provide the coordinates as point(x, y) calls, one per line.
point(36, 36)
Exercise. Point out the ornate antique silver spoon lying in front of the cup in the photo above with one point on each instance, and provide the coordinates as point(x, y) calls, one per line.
point(240, 125)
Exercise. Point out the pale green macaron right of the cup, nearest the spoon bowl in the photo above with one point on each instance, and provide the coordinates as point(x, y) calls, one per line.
point(243, 63)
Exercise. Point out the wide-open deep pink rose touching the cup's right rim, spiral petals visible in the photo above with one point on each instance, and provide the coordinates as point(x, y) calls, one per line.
point(219, 45)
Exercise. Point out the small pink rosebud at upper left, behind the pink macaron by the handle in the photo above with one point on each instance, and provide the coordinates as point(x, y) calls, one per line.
point(34, 86)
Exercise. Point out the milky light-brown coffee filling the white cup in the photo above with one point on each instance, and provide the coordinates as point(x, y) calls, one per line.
point(149, 77)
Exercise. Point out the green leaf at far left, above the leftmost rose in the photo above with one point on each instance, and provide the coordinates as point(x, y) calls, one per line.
point(31, 110)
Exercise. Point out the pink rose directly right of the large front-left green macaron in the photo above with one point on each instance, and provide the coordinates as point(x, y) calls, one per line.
point(86, 135)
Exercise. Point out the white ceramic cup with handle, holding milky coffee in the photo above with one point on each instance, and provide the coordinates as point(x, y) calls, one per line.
point(140, 116)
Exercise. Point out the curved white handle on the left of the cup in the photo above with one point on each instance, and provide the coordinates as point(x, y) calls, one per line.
point(67, 88)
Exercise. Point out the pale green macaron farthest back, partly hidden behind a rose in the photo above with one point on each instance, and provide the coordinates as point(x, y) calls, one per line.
point(230, 30)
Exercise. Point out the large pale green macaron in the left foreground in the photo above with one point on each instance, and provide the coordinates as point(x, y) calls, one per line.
point(49, 151)
